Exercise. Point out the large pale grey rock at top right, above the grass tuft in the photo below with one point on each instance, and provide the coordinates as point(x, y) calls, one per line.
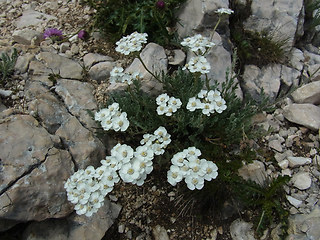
point(282, 18)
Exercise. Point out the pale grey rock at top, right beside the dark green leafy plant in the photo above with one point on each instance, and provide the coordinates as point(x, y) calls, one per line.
point(203, 16)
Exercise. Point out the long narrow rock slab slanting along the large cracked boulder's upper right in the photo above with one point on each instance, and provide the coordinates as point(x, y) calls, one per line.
point(84, 147)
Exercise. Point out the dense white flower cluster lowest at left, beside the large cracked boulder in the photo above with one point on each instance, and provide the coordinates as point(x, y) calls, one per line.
point(88, 188)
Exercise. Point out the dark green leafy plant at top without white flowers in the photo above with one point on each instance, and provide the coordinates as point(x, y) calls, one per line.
point(120, 17)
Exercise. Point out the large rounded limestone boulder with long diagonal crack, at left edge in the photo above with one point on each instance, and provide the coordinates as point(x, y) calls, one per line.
point(33, 172)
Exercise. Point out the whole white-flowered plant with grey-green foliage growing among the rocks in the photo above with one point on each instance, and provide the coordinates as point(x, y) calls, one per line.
point(191, 132)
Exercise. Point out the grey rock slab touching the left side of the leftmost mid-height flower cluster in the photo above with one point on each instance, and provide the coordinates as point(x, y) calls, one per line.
point(78, 97)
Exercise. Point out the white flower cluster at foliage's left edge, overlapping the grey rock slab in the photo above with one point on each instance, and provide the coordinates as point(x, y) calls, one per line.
point(112, 118)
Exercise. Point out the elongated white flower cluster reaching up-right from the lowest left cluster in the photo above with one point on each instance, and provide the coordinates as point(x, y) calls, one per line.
point(134, 166)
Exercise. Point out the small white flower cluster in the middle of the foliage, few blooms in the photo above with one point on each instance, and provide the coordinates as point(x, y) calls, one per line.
point(167, 105)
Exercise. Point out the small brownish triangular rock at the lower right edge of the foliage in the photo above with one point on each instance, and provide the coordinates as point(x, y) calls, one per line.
point(254, 171)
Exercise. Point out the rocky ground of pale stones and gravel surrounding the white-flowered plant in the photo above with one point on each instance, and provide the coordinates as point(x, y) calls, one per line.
point(46, 132)
